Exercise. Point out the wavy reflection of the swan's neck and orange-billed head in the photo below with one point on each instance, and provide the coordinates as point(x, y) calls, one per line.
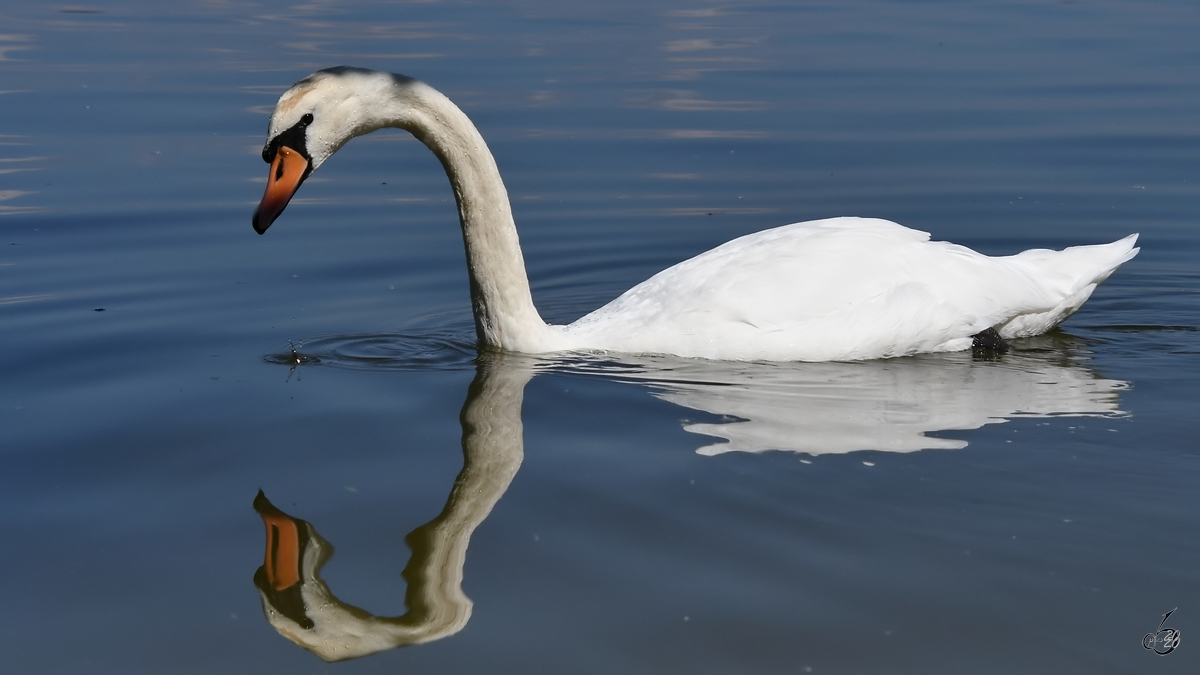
point(299, 605)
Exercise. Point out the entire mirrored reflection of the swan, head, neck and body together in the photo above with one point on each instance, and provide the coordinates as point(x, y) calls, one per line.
point(817, 409)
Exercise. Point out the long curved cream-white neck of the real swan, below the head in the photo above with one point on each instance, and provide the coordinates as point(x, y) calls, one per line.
point(500, 290)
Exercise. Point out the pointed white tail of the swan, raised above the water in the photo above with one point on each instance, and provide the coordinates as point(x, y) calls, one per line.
point(1073, 274)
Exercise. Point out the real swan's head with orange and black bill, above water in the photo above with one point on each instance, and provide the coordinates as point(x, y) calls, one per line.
point(315, 118)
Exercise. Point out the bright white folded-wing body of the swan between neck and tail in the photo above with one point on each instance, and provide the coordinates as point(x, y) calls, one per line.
point(831, 290)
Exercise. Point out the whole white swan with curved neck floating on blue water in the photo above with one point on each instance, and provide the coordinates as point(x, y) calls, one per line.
point(843, 289)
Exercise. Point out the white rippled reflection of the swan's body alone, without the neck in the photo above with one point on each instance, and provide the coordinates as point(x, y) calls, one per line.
point(887, 405)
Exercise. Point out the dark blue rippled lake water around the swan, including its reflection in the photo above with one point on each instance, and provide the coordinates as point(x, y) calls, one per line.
point(933, 515)
